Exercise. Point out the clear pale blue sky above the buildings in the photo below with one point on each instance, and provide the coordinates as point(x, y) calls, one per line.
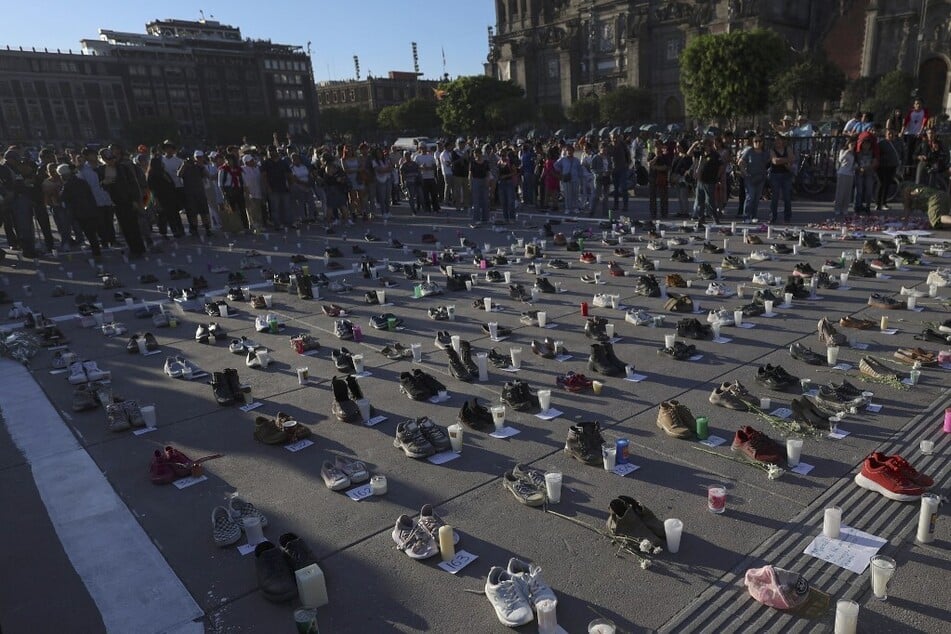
point(380, 32)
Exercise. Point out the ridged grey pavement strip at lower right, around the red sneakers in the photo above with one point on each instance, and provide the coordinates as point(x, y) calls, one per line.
point(784, 547)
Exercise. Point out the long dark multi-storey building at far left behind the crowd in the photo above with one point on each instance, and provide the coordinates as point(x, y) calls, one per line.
point(197, 73)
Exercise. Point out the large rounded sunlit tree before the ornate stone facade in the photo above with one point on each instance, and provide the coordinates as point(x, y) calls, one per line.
point(728, 75)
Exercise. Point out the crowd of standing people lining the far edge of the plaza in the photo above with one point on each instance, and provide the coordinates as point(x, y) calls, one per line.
point(155, 193)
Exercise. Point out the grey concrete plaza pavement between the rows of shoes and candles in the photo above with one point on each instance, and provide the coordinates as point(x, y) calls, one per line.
point(375, 588)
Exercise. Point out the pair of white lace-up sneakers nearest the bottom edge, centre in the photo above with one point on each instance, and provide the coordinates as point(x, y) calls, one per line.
point(514, 591)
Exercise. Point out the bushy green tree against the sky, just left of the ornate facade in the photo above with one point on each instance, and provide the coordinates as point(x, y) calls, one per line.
point(465, 102)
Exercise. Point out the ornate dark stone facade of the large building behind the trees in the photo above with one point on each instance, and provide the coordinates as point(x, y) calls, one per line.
point(561, 50)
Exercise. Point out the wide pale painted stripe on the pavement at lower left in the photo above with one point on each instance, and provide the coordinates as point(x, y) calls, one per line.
point(128, 579)
